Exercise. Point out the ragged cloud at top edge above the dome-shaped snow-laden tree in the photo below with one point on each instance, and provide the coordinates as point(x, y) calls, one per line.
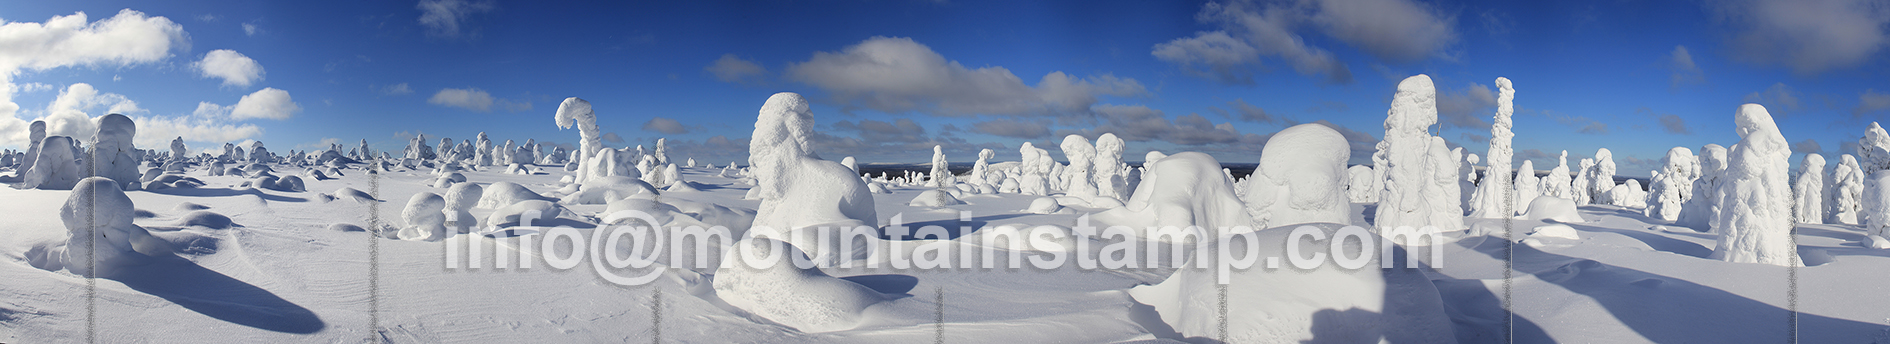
point(1398, 31)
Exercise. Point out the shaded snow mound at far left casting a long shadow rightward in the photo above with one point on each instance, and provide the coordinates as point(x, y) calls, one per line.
point(103, 239)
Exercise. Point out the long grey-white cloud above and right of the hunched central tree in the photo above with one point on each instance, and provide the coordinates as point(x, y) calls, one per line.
point(899, 75)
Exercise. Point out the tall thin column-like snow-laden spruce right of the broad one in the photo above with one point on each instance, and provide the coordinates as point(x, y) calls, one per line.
point(1494, 198)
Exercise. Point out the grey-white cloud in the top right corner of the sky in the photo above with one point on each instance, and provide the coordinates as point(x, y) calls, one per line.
point(1810, 37)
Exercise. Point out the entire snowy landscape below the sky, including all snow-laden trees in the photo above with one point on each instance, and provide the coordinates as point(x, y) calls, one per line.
point(515, 245)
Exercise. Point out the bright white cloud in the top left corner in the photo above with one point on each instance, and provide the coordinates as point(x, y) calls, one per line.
point(71, 41)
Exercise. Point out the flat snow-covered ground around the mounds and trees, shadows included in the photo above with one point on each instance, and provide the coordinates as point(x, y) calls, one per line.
point(283, 273)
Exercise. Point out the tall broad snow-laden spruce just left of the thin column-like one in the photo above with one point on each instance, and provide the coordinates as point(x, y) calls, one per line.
point(1415, 196)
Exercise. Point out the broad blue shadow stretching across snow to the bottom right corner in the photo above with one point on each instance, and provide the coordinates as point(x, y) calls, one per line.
point(1666, 309)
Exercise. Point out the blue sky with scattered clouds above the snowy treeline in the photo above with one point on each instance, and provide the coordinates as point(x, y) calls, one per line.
point(895, 78)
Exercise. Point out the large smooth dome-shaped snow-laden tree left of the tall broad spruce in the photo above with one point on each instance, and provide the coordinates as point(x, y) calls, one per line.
point(1301, 179)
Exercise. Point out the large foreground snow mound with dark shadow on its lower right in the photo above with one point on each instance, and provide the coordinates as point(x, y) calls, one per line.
point(1290, 305)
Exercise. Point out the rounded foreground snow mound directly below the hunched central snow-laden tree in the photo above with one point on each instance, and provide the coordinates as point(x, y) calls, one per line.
point(763, 281)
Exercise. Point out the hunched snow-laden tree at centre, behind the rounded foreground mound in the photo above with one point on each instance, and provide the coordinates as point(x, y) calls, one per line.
point(797, 186)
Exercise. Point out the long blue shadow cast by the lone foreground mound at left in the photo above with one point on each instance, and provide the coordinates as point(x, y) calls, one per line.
point(218, 296)
